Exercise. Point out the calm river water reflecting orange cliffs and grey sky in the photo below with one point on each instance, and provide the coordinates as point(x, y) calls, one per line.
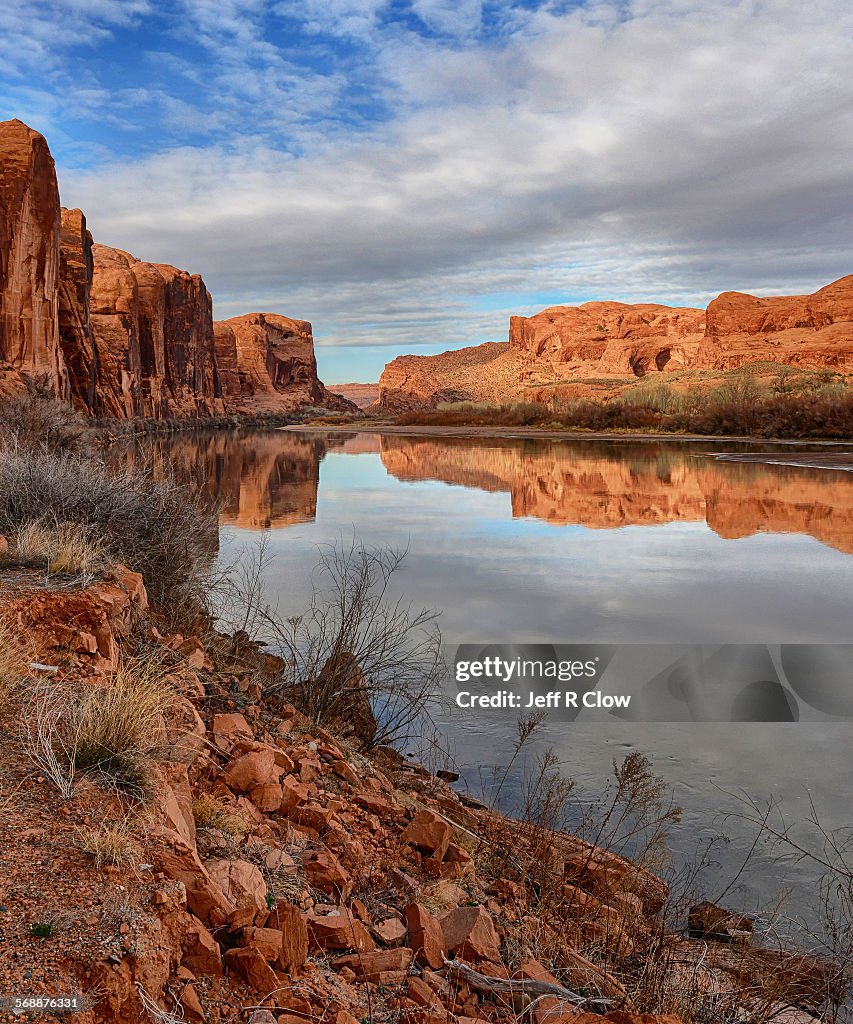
point(536, 541)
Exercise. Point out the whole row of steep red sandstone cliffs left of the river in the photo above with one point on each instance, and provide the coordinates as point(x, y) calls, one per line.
point(122, 337)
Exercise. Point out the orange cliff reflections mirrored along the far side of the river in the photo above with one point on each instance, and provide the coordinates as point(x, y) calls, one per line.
point(269, 481)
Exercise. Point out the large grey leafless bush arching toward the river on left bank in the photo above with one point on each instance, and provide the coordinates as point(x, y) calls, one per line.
point(155, 527)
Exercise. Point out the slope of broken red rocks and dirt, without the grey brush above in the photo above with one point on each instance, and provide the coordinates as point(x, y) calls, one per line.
point(279, 873)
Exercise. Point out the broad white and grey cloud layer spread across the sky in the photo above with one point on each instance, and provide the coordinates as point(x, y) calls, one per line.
point(657, 149)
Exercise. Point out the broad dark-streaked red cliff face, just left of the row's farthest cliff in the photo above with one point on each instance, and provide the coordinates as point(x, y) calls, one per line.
point(153, 326)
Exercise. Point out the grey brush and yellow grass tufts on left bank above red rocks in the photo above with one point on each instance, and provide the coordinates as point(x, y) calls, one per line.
point(64, 509)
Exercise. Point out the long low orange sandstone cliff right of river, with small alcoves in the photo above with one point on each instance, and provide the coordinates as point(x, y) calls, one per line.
point(563, 345)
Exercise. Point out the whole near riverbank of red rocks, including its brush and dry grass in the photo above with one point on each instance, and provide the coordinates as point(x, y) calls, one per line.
point(182, 840)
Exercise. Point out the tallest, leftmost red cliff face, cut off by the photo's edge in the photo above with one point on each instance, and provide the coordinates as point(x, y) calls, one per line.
point(30, 227)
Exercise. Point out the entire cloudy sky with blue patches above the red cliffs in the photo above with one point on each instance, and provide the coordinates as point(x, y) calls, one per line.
point(407, 175)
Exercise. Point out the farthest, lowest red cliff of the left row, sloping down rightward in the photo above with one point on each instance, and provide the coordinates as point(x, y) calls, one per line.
point(271, 363)
